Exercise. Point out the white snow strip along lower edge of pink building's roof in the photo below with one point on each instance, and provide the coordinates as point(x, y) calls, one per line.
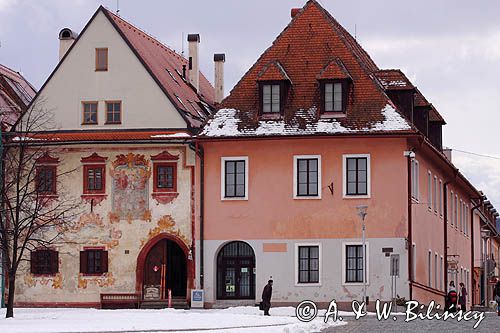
point(226, 124)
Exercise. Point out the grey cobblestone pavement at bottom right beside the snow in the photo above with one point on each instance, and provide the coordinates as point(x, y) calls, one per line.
point(491, 323)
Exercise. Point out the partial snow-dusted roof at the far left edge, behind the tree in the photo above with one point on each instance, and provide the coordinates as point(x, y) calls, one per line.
point(15, 94)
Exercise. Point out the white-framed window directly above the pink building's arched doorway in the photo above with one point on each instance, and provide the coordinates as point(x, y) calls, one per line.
point(235, 178)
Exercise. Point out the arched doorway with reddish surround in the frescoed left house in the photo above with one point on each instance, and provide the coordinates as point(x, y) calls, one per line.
point(162, 265)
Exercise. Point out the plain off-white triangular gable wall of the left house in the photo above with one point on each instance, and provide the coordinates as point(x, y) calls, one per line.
point(144, 105)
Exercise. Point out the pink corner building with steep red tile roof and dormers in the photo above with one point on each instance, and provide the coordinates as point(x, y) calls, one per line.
point(313, 130)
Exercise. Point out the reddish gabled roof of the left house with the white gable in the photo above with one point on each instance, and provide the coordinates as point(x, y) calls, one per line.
point(165, 67)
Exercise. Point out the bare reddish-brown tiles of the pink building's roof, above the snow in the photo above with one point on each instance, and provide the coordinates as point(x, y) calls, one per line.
point(305, 48)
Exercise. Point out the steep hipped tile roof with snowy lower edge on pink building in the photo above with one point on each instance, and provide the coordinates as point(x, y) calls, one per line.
point(306, 48)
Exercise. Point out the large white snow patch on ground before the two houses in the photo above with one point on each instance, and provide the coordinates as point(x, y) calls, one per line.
point(236, 319)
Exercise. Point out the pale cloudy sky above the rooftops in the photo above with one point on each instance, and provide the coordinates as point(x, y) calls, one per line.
point(450, 49)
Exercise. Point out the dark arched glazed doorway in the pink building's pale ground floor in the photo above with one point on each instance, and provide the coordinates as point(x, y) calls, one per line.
point(236, 271)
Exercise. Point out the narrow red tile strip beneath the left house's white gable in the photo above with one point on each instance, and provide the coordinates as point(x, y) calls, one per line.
point(108, 136)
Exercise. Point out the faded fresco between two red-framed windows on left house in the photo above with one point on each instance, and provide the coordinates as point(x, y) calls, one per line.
point(129, 191)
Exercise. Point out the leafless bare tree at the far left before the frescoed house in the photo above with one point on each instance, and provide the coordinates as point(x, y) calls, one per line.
point(31, 217)
